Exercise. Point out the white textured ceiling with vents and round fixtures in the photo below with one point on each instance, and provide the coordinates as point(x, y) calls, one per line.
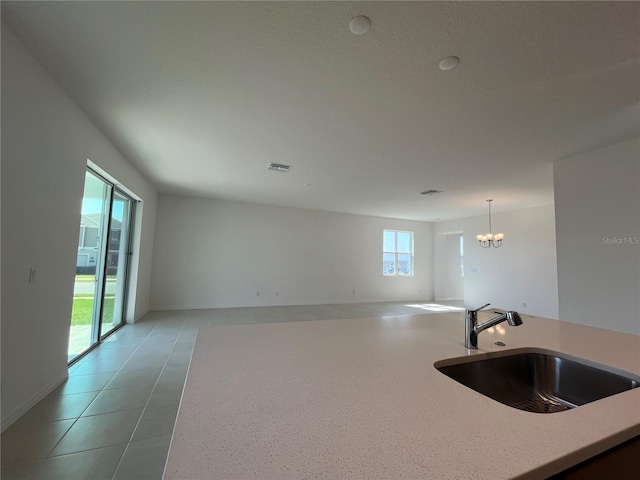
point(201, 96)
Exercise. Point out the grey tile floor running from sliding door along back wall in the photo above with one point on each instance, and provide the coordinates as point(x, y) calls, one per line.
point(113, 418)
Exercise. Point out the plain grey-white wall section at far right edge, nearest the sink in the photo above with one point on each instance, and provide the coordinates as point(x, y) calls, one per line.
point(598, 234)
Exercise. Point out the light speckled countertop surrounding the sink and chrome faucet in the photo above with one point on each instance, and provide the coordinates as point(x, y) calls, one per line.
point(360, 399)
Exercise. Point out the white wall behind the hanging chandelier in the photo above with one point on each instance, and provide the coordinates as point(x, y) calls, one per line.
point(523, 270)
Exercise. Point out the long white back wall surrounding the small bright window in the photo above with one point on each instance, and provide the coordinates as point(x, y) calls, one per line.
point(211, 253)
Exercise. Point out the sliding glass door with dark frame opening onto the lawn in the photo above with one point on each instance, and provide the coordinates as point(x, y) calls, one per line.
point(101, 268)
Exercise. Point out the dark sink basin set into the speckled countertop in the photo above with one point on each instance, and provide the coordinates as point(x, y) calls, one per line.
point(538, 380)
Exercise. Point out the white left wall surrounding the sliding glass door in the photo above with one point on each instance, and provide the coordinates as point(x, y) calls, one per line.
point(46, 141)
